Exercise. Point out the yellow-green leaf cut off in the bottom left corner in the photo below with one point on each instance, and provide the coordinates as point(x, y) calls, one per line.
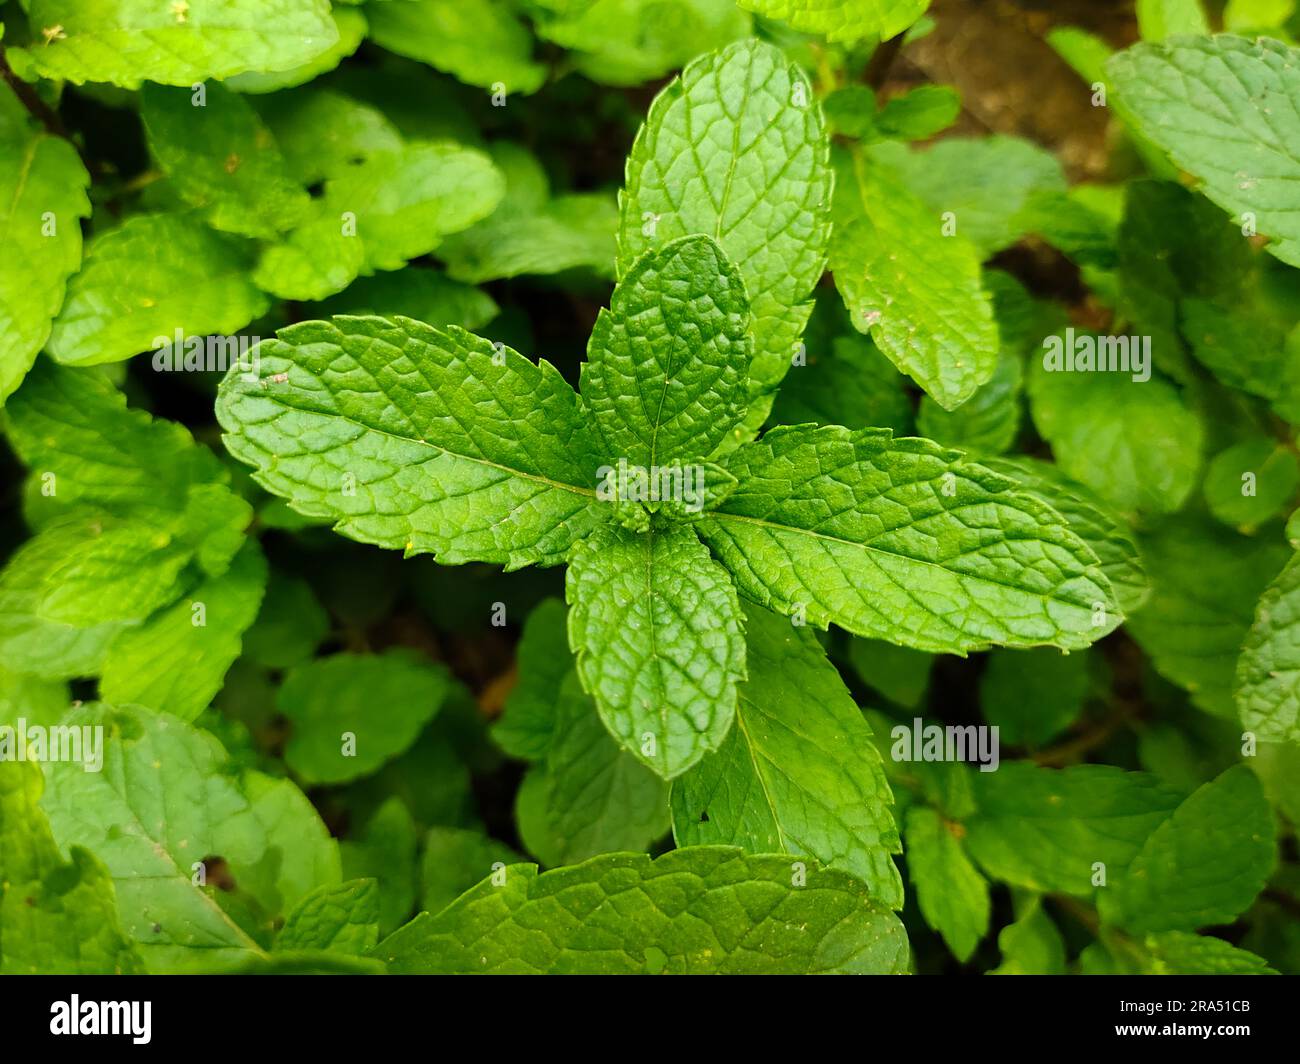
point(55, 916)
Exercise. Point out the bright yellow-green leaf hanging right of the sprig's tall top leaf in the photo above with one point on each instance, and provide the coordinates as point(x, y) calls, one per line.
point(916, 291)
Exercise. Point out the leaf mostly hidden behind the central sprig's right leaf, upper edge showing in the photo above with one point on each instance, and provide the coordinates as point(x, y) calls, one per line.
point(1110, 538)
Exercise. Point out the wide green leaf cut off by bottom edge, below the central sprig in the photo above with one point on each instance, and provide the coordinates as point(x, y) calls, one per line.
point(692, 911)
